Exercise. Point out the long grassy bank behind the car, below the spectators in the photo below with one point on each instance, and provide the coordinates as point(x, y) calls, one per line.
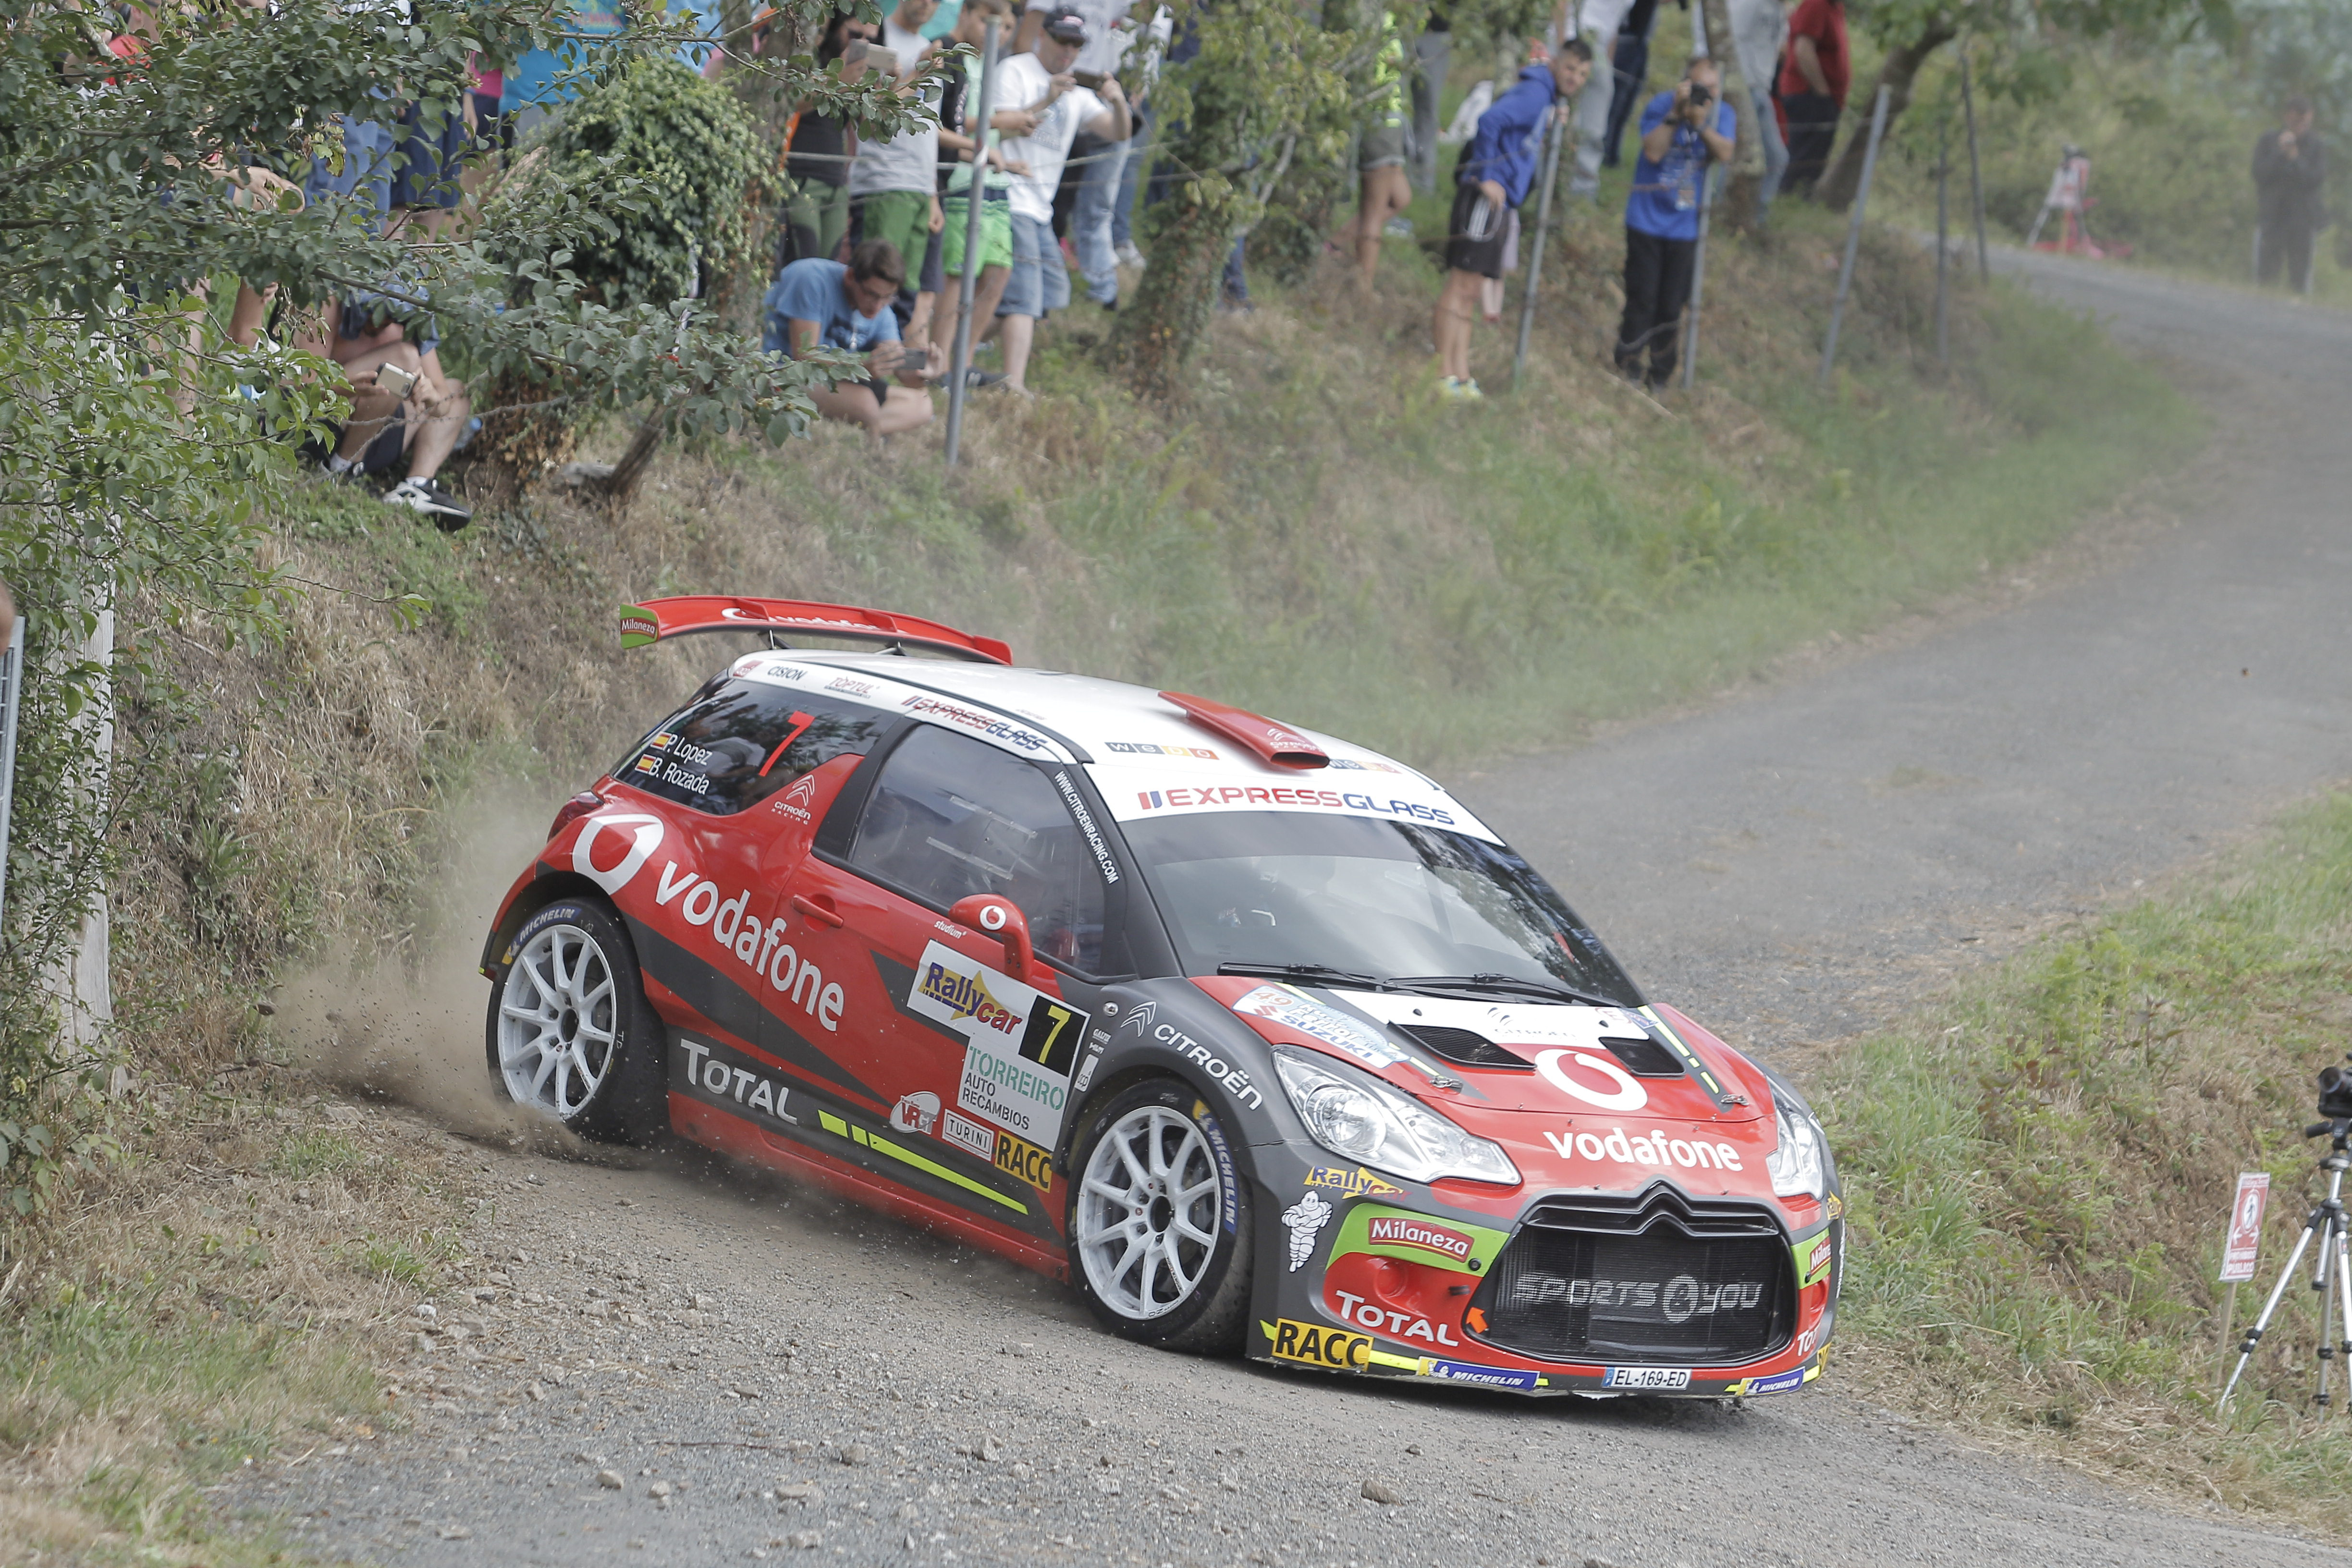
point(1311, 535)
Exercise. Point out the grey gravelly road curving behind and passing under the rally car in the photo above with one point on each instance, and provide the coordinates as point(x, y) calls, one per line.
point(679, 1362)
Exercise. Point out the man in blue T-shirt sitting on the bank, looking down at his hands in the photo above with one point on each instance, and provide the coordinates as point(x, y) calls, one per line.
point(824, 304)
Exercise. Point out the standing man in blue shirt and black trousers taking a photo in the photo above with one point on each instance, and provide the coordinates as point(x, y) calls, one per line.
point(1685, 130)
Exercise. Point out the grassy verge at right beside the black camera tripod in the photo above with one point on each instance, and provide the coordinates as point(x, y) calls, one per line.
point(2040, 1172)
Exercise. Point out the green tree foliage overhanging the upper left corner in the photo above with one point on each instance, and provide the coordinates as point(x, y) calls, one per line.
point(140, 450)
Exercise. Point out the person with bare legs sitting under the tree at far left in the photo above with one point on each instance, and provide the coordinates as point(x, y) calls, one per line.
point(403, 406)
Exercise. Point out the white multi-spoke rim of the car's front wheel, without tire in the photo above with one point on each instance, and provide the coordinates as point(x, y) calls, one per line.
point(1149, 1214)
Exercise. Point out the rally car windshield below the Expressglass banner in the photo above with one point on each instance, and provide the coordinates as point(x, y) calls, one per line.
point(1370, 897)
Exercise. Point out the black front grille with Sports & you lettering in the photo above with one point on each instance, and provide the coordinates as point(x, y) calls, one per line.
point(1659, 1278)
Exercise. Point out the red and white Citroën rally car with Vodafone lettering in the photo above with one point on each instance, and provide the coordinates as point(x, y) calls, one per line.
point(1255, 1038)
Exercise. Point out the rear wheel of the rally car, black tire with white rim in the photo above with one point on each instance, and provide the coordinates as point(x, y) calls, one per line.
point(573, 979)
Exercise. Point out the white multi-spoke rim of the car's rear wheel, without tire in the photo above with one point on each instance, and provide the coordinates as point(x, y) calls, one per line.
point(556, 1021)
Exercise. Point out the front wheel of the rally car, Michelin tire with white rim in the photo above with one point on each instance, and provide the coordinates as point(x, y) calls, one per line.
point(1163, 1127)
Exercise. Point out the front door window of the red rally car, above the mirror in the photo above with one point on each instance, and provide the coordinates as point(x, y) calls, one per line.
point(951, 817)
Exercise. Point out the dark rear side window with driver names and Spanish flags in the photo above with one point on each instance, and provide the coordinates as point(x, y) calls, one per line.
point(740, 742)
